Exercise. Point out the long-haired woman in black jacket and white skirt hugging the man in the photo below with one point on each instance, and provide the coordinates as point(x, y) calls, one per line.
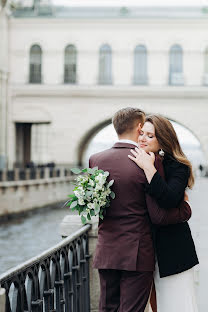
point(175, 250)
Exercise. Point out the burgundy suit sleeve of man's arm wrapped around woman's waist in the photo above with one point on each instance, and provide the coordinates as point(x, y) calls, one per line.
point(162, 216)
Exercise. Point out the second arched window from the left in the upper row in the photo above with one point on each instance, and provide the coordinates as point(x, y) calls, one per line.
point(70, 64)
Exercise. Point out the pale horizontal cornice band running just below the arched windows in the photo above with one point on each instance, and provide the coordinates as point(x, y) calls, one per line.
point(61, 91)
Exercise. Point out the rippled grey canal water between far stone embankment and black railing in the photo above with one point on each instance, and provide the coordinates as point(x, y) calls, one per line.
point(26, 237)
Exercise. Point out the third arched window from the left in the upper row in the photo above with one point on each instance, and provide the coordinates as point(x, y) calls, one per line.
point(105, 65)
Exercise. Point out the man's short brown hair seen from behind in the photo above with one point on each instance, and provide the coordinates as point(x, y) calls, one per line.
point(125, 119)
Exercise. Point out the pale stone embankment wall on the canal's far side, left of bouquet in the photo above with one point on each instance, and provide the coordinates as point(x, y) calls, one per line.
point(22, 196)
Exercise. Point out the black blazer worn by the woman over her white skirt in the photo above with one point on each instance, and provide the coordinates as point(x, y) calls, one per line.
point(174, 244)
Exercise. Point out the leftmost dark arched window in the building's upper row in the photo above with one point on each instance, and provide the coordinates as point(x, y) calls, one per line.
point(35, 64)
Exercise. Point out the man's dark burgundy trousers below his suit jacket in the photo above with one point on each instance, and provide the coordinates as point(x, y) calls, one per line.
point(124, 291)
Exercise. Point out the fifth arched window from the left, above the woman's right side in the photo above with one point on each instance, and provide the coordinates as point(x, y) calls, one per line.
point(176, 65)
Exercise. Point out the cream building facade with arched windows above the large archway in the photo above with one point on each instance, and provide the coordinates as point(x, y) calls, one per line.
point(71, 69)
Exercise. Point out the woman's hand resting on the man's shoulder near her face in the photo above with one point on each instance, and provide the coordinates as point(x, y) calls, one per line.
point(142, 159)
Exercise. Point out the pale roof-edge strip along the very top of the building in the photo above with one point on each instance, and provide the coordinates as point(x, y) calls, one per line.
point(123, 12)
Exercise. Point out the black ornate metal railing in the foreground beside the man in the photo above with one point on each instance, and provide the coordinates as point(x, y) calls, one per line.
point(56, 280)
